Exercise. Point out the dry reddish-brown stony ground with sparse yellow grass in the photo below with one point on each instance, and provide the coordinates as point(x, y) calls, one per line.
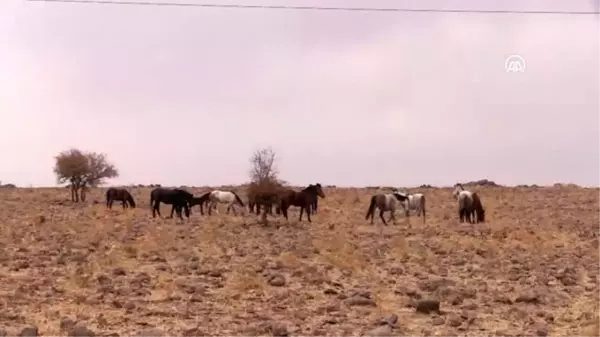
point(533, 268)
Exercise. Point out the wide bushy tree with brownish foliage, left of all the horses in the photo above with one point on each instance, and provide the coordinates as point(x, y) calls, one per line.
point(82, 170)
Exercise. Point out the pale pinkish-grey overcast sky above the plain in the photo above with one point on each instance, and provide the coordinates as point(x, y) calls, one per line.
point(183, 96)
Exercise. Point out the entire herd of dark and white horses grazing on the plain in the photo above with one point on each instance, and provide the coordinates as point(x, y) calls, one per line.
point(470, 207)
